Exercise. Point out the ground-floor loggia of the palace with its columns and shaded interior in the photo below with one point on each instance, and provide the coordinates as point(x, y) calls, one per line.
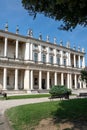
point(19, 79)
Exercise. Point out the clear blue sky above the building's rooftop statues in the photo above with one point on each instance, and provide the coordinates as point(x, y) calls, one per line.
point(13, 12)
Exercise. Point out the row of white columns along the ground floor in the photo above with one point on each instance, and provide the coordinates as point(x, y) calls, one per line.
point(29, 79)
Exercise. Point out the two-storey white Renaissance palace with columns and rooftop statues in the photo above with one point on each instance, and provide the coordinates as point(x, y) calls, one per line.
point(32, 64)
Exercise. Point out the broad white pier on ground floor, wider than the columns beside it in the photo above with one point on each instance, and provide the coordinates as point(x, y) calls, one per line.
point(27, 79)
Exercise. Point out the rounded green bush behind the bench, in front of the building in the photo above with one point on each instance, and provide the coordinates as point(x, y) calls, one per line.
point(57, 90)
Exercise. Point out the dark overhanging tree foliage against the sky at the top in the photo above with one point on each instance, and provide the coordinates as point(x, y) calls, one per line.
point(71, 12)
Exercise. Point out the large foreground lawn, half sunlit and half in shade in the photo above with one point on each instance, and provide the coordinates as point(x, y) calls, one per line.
point(25, 117)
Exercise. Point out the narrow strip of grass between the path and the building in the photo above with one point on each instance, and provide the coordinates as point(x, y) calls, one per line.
point(28, 96)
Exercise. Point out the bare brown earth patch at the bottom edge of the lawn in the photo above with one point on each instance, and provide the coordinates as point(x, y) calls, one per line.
point(49, 124)
